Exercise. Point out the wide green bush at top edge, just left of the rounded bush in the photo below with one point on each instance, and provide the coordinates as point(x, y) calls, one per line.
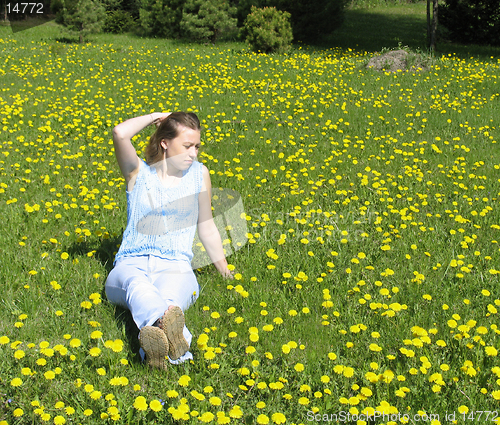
point(208, 19)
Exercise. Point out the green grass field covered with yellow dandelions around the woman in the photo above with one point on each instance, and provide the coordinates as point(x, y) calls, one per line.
point(369, 281)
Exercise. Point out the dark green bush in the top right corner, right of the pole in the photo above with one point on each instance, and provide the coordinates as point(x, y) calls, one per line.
point(471, 21)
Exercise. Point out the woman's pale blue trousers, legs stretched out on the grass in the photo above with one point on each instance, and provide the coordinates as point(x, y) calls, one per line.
point(147, 285)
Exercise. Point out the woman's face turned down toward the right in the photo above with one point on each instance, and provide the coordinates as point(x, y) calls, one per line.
point(183, 150)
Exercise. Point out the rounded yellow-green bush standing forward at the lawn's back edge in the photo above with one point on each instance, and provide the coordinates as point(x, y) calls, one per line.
point(268, 30)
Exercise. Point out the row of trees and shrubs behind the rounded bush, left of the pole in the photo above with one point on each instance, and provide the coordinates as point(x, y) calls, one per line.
point(208, 20)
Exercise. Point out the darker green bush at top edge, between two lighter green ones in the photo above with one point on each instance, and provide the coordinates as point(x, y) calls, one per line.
point(161, 18)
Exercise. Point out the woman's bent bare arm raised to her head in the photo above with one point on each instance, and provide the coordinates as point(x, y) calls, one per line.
point(125, 152)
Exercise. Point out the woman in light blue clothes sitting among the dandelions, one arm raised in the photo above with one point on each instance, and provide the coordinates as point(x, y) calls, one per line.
point(168, 195)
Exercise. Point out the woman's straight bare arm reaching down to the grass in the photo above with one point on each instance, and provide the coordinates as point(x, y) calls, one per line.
point(207, 230)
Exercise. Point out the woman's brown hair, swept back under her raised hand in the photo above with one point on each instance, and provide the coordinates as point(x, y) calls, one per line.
point(169, 130)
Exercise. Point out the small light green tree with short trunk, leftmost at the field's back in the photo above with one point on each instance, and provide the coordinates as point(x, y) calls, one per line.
point(81, 17)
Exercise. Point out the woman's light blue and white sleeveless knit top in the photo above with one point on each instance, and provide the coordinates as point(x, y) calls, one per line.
point(162, 221)
